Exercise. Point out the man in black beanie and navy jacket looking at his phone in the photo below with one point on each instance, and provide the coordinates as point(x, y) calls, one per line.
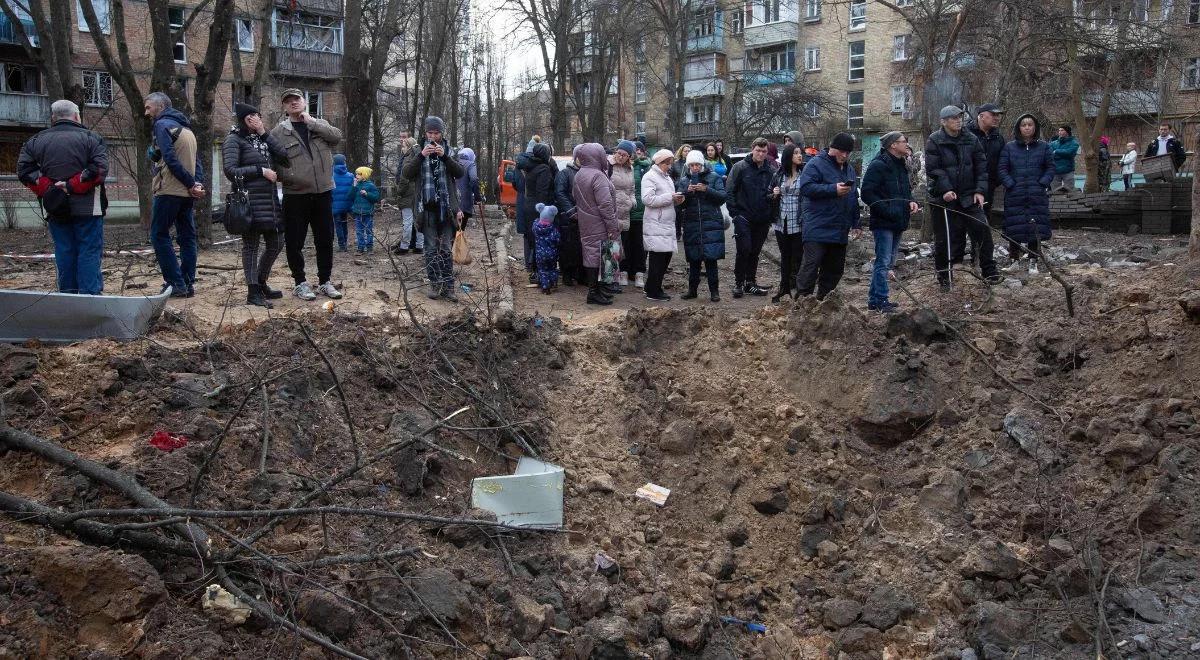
point(830, 188)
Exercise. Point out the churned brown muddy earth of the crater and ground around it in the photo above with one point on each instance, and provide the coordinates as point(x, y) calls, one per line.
point(1019, 484)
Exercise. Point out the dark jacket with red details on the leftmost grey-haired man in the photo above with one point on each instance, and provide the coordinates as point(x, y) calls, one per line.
point(70, 153)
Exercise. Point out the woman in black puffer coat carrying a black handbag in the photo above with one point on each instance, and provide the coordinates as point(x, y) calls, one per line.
point(253, 154)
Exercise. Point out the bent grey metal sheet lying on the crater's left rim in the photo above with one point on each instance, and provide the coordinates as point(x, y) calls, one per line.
point(68, 317)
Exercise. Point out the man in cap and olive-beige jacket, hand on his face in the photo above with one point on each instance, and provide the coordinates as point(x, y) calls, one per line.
point(308, 193)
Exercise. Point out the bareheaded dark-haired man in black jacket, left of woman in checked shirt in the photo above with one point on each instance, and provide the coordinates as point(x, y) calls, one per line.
point(748, 193)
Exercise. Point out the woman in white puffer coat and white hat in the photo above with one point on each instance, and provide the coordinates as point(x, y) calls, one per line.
point(658, 224)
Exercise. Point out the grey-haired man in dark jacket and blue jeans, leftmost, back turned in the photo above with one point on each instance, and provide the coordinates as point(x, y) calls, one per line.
point(65, 166)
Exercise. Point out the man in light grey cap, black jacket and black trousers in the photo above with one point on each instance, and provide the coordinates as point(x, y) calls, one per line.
point(957, 167)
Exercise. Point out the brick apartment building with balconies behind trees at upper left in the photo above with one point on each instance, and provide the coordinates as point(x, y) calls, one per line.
point(304, 45)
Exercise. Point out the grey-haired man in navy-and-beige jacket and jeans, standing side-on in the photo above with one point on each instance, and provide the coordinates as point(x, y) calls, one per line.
point(176, 165)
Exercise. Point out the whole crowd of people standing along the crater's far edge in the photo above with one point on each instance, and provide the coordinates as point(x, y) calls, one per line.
point(607, 220)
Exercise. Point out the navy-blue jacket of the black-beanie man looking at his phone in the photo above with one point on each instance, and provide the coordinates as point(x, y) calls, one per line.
point(829, 218)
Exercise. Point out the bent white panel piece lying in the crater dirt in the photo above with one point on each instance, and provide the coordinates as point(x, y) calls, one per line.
point(530, 497)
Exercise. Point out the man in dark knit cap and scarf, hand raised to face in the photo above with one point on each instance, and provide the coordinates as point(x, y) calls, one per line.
point(435, 170)
